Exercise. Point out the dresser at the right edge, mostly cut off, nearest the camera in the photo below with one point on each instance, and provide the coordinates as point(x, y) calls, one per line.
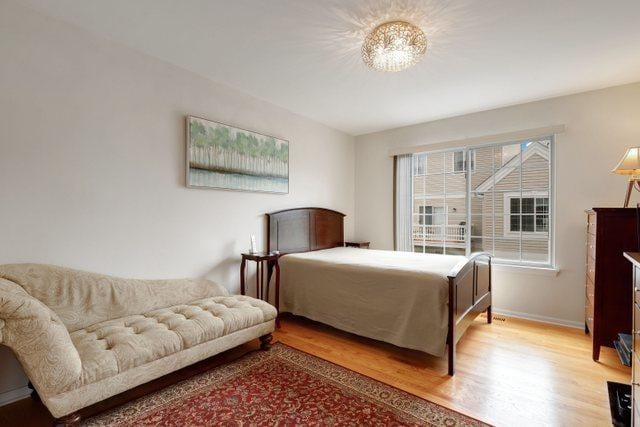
point(634, 257)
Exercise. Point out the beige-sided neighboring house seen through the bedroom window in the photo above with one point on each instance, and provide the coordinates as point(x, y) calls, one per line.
point(509, 201)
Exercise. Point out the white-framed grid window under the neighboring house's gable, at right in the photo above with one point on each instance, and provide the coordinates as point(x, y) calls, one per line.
point(528, 215)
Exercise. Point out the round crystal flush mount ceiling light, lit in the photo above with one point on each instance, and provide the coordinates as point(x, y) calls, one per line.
point(394, 46)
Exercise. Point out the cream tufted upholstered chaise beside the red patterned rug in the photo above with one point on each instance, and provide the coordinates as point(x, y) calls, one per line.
point(83, 337)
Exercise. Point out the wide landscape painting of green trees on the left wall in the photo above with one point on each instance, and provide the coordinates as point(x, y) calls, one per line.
point(222, 156)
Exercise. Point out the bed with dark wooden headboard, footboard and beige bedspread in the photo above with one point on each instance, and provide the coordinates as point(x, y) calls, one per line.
point(397, 297)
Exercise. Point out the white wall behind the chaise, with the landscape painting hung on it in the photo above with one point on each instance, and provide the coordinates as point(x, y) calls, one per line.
point(92, 155)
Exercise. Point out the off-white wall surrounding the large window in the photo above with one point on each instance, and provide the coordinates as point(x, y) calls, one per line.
point(600, 125)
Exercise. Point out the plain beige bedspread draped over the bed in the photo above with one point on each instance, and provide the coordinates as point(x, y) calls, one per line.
point(397, 297)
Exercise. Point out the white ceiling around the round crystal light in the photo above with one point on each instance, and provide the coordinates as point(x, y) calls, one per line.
point(304, 55)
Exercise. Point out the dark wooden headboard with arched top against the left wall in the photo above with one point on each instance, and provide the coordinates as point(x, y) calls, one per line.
point(304, 230)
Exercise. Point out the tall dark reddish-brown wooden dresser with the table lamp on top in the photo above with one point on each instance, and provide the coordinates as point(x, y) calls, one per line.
point(610, 233)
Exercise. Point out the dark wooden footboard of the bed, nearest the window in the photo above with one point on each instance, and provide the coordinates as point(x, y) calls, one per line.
point(469, 295)
